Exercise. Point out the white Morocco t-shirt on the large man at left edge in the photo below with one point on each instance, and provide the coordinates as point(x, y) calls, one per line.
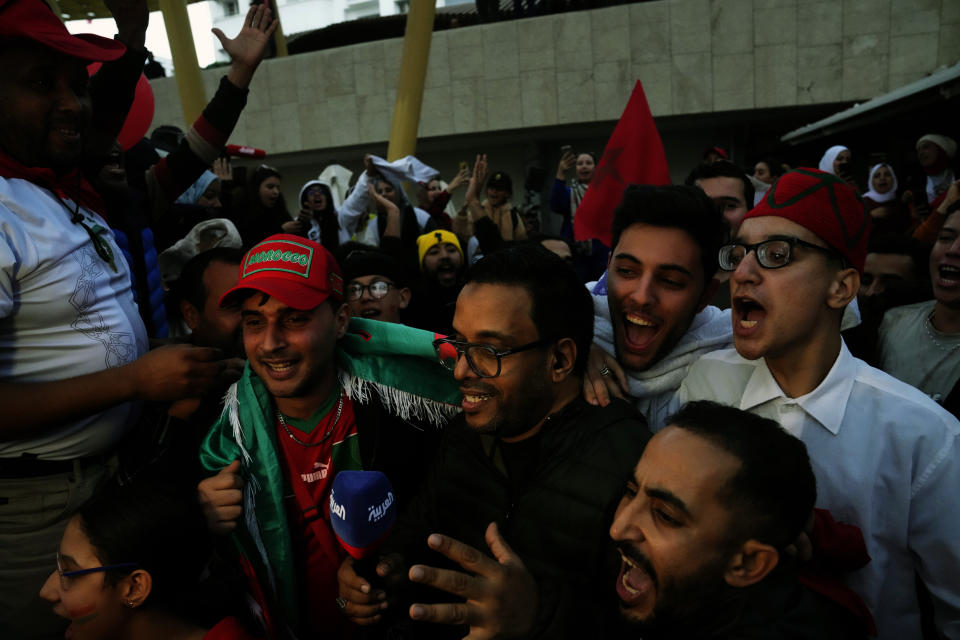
point(64, 312)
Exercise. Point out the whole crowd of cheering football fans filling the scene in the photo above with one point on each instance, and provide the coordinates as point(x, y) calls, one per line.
point(375, 415)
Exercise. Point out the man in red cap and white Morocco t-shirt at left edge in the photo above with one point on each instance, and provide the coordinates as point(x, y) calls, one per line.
point(74, 365)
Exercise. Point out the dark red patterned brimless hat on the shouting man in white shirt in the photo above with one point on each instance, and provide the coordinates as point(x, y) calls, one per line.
point(824, 204)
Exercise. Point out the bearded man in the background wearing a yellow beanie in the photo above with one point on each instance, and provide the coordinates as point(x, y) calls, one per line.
point(435, 296)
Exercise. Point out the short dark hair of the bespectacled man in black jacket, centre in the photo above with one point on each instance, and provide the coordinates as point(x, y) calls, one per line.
point(561, 306)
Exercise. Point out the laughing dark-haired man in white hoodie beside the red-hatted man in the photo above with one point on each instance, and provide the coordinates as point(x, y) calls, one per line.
point(651, 319)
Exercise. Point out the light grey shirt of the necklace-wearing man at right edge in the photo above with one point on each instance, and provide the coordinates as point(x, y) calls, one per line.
point(911, 349)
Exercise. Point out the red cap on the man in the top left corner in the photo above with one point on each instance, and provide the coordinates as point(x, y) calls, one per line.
point(34, 20)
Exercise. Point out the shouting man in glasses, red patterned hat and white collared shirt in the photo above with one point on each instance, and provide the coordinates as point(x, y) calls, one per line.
point(886, 457)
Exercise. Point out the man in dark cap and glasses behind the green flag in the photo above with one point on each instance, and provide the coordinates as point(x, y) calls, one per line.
point(376, 287)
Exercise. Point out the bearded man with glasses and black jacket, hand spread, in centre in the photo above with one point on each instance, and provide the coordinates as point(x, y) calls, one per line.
point(529, 454)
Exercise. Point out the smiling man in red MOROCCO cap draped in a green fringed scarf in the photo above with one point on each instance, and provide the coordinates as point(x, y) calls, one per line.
point(303, 401)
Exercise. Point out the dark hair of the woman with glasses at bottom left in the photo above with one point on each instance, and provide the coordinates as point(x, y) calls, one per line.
point(160, 528)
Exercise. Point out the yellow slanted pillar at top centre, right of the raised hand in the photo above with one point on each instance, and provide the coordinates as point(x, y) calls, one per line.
point(413, 74)
